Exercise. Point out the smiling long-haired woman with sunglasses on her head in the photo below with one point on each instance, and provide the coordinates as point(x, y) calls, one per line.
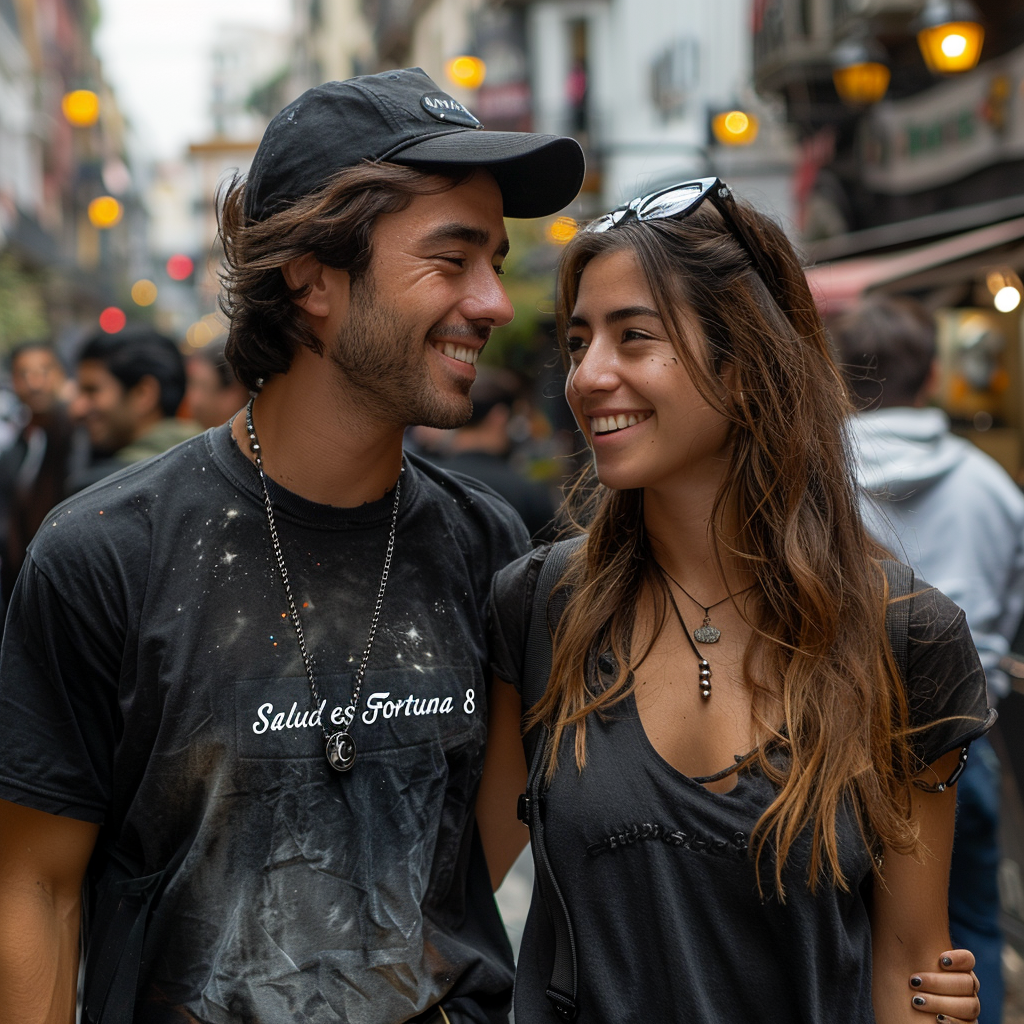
point(748, 812)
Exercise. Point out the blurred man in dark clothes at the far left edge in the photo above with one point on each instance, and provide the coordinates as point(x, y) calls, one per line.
point(35, 470)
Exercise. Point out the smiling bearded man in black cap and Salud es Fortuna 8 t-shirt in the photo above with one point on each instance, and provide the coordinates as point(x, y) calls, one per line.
point(267, 696)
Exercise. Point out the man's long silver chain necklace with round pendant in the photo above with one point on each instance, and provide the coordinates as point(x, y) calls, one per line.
point(339, 746)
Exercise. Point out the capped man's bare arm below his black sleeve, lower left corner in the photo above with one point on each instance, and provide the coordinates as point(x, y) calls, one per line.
point(44, 859)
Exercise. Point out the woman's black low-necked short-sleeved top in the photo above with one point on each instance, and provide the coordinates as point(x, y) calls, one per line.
point(657, 871)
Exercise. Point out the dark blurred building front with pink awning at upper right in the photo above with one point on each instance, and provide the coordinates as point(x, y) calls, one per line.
point(918, 194)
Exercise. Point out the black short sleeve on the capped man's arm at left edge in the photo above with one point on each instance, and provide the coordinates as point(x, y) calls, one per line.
point(59, 709)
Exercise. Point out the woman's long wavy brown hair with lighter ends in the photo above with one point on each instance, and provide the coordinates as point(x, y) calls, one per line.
point(820, 643)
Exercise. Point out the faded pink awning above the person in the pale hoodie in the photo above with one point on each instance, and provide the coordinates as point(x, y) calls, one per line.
point(841, 284)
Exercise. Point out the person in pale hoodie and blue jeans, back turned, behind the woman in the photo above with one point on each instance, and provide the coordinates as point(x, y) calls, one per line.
point(957, 517)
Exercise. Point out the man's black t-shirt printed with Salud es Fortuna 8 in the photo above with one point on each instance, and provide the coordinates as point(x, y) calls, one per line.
point(151, 680)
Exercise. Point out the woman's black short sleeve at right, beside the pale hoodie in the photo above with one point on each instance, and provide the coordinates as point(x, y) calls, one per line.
point(947, 691)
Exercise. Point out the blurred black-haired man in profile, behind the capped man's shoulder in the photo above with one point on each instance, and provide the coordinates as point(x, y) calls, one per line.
point(130, 388)
